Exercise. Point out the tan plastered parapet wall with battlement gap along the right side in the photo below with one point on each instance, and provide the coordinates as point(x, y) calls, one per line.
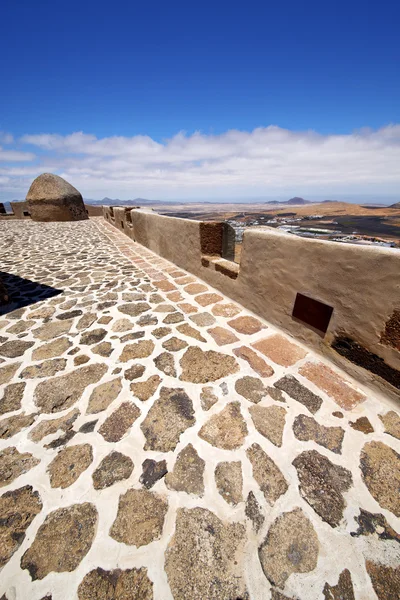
point(341, 299)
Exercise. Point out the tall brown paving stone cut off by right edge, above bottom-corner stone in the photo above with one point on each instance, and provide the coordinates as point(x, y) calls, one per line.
point(380, 468)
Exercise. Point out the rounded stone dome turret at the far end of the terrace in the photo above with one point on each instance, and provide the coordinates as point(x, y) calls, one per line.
point(51, 198)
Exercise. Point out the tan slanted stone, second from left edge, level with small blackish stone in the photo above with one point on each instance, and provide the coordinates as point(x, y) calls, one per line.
point(69, 464)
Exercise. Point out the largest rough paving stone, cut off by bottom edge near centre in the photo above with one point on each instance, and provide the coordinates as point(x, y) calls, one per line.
point(211, 551)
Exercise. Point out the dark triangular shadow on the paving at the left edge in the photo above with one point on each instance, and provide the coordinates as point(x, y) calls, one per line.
point(24, 292)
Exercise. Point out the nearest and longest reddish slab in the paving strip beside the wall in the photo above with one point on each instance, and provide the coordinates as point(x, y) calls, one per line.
point(331, 383)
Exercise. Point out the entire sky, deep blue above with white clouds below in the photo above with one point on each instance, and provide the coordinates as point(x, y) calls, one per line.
point(132, 76)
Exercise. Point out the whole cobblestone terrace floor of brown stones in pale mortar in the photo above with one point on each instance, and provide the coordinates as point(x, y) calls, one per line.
point(159, 441)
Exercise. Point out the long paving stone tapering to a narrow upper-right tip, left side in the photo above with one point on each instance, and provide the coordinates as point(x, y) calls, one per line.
point(59, 393)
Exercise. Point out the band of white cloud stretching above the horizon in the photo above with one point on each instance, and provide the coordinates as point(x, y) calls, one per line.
point(267, 161)
